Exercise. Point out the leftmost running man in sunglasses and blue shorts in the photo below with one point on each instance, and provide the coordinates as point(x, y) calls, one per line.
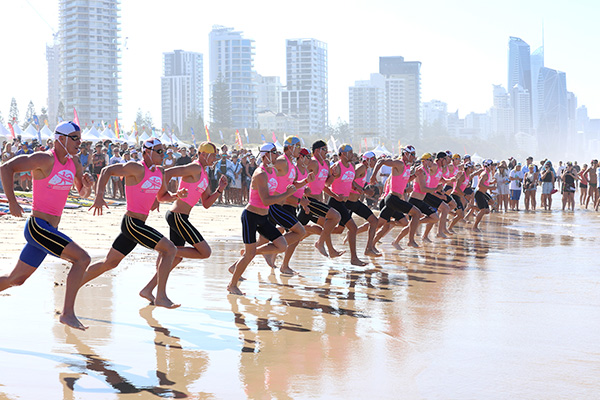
point(54, 173)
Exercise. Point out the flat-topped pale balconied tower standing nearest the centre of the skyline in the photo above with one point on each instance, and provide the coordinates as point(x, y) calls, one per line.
point(307, 95)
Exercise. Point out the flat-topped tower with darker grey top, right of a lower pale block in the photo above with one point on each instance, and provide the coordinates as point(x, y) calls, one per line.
point(403, 94)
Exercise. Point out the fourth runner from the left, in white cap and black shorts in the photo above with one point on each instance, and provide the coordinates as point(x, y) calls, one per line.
point(255, 217)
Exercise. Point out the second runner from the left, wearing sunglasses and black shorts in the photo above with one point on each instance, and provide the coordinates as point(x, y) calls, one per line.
point(143, 181)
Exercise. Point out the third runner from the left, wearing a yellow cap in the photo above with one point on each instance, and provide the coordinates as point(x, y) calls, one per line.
point(193, 187)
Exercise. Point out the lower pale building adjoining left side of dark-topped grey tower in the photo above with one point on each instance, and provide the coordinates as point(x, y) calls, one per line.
point(367, 106)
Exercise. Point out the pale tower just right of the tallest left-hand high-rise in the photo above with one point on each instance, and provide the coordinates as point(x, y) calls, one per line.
point(182, 88)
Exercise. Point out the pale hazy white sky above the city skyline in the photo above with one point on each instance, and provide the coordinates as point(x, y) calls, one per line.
point(462, 44)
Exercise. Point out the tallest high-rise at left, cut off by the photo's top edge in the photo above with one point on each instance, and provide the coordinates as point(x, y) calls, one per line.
point(89, 64)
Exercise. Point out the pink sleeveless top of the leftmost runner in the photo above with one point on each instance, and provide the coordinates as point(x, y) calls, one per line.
point(50, 194)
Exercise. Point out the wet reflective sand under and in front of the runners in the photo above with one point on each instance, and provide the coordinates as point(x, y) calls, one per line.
point(513, 312)
